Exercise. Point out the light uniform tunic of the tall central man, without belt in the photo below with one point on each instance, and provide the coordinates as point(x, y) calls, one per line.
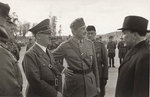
point(74, 85)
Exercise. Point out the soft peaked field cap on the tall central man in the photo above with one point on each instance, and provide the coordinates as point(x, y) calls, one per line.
point(77, 23)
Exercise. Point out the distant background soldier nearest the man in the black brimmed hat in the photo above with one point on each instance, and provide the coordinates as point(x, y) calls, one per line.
point(122, 49)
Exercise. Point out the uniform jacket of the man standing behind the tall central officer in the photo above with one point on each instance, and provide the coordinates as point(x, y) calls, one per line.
point(102, 59)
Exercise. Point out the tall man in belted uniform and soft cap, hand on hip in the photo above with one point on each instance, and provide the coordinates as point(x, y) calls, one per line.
point(82, 80)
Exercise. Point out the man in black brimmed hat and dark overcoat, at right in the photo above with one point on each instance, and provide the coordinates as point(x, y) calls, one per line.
point(133, 77)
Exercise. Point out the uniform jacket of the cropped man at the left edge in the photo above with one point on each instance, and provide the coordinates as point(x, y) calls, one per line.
point(10, 75)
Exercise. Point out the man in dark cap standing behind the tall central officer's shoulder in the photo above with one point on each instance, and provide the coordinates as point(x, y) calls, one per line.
point(102, 60)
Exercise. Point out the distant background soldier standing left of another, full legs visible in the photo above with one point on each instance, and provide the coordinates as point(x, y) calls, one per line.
point(111, 46)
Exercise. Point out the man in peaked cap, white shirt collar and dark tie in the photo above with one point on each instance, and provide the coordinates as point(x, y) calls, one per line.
point(39, 65)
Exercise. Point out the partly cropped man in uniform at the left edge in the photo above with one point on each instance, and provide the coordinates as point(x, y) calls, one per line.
point(10, 75)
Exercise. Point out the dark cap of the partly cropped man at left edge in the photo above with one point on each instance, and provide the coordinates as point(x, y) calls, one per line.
point(4, 10)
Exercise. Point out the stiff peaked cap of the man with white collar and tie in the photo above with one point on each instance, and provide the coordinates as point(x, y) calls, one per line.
point(42, 27)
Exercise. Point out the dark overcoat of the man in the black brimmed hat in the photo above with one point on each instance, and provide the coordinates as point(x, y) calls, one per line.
point(133, 78)
